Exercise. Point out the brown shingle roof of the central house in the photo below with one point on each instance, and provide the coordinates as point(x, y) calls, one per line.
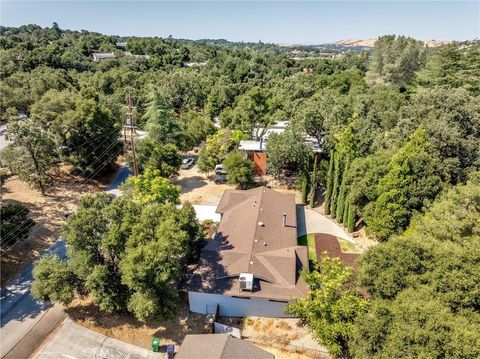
point(253, 238)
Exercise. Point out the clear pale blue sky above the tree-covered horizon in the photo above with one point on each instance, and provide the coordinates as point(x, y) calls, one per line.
point(301, 22)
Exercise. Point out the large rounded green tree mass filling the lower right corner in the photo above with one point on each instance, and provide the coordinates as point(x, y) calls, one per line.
point(425, 284)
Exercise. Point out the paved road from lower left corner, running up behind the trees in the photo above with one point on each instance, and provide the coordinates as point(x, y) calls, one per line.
point(19, 311)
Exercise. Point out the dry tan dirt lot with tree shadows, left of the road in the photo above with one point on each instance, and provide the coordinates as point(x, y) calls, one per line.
point(47, 211)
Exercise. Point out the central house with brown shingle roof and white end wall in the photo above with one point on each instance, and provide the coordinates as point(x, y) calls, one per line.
point(252, 267)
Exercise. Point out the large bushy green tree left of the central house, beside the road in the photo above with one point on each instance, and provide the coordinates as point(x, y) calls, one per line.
point(121, 254)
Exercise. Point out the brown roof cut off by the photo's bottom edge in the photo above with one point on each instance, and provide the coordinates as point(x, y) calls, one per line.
point(219, 346)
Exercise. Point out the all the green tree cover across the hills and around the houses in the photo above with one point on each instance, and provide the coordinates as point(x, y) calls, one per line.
point(398, 131)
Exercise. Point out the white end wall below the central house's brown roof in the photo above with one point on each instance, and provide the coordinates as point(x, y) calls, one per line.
point(205, 303)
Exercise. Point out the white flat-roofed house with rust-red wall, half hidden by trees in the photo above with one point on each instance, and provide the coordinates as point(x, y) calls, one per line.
point(255, 150)
